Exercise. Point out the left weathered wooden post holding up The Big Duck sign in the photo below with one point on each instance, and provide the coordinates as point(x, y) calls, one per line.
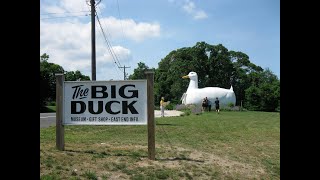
point(59, 112)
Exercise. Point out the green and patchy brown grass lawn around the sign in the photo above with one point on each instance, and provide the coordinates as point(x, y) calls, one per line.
point(229, 145)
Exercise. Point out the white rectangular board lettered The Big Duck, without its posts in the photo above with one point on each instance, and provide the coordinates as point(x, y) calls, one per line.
point(105, 102)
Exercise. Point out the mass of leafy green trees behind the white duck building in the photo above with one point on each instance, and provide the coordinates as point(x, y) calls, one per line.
point(216, 66)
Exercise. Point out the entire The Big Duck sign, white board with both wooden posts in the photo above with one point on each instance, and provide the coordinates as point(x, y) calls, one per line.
point(105, 103)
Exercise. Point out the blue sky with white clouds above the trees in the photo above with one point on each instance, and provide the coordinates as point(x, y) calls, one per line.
point(128, 32)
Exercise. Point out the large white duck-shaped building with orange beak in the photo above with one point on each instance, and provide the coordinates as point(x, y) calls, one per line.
point(195, 95)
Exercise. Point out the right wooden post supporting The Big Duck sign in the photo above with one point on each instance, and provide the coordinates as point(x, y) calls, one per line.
point(151, 124)
